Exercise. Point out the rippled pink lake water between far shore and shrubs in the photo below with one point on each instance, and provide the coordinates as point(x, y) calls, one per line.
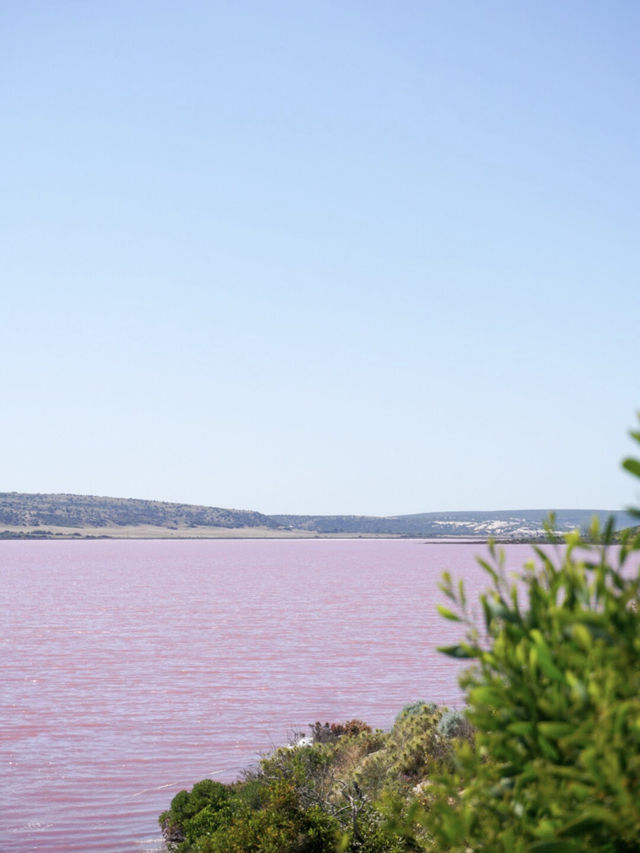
point(133, 669)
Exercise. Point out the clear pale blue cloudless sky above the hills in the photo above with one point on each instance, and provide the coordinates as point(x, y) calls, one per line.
point(348, 256)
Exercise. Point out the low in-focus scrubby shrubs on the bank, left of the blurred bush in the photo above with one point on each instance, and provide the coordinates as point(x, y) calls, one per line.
point(332, 792)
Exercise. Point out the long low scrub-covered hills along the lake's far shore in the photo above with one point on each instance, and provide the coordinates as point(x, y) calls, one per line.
point(77, 515)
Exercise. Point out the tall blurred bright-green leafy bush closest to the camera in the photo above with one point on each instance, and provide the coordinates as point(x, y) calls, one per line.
point(555, 699)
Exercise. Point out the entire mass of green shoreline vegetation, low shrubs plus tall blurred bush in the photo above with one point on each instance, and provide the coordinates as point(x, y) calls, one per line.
point(546, 758)
